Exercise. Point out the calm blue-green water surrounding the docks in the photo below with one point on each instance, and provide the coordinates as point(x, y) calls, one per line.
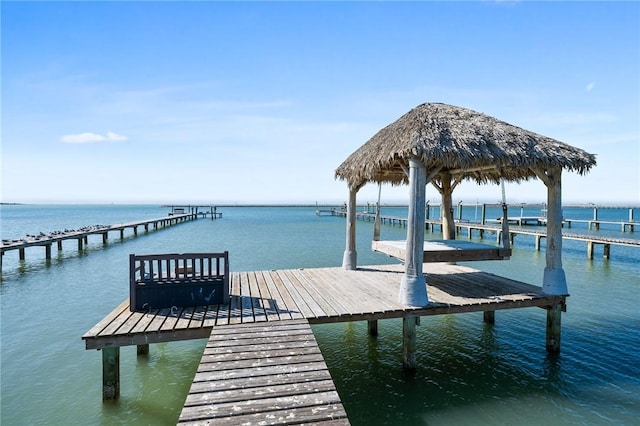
point(468, 372)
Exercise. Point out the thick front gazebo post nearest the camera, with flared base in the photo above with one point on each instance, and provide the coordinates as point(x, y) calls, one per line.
point(413, 287)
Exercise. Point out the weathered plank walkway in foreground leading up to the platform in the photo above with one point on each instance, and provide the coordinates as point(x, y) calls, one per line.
point(263, 373)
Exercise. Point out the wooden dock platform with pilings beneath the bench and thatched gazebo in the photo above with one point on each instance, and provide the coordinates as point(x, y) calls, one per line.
point(322, 295)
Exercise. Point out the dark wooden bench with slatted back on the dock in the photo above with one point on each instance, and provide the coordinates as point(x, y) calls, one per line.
point(167, 280)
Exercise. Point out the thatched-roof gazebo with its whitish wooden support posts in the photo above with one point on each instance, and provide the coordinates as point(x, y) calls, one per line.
point(445, 145)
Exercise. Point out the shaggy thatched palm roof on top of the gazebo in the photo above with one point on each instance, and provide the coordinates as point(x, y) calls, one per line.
point(465, 143)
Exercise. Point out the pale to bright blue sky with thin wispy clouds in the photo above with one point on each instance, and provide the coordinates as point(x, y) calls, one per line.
point(242, 102)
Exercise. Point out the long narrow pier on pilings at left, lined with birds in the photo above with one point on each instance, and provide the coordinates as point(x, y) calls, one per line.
point(82, 235)
